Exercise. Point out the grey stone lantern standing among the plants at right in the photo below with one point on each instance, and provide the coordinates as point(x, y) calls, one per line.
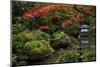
point(84, 40)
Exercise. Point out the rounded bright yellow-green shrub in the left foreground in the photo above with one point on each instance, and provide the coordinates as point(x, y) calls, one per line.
point(38, 49)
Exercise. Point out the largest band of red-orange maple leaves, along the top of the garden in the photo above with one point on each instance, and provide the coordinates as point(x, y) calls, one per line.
point(41, 11)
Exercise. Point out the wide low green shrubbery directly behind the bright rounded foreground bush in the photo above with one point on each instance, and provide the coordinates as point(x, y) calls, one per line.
point(27, 36)
